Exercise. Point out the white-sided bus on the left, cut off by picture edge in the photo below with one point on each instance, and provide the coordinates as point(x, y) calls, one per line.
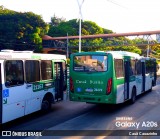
point(29, 82)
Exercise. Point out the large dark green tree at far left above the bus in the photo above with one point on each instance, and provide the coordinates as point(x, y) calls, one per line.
point(21, 30)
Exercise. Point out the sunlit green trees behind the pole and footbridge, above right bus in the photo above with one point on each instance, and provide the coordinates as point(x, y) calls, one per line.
point(90, 28)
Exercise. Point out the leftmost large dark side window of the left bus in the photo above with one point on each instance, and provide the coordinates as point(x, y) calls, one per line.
point(14, 73)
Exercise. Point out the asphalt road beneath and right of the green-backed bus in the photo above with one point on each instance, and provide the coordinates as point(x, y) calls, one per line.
point(144, 115)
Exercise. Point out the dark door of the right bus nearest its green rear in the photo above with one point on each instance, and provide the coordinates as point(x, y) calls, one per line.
point(126, 80)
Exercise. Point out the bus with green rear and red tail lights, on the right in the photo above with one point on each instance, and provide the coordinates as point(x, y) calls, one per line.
point(110, 77)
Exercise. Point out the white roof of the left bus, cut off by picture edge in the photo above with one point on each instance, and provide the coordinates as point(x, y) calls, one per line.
point(10, 54)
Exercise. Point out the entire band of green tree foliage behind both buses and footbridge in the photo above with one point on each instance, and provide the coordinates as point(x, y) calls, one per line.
point(25, 30)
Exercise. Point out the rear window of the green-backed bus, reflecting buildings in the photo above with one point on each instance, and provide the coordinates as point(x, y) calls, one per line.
point(90, 63)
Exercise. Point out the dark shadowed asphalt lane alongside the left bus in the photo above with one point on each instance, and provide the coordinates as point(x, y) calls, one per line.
point(60, 112)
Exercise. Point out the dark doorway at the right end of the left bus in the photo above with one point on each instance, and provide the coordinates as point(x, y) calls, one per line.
point(59, 79)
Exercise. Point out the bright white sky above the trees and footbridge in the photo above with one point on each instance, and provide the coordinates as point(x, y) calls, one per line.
point(120, 16)
